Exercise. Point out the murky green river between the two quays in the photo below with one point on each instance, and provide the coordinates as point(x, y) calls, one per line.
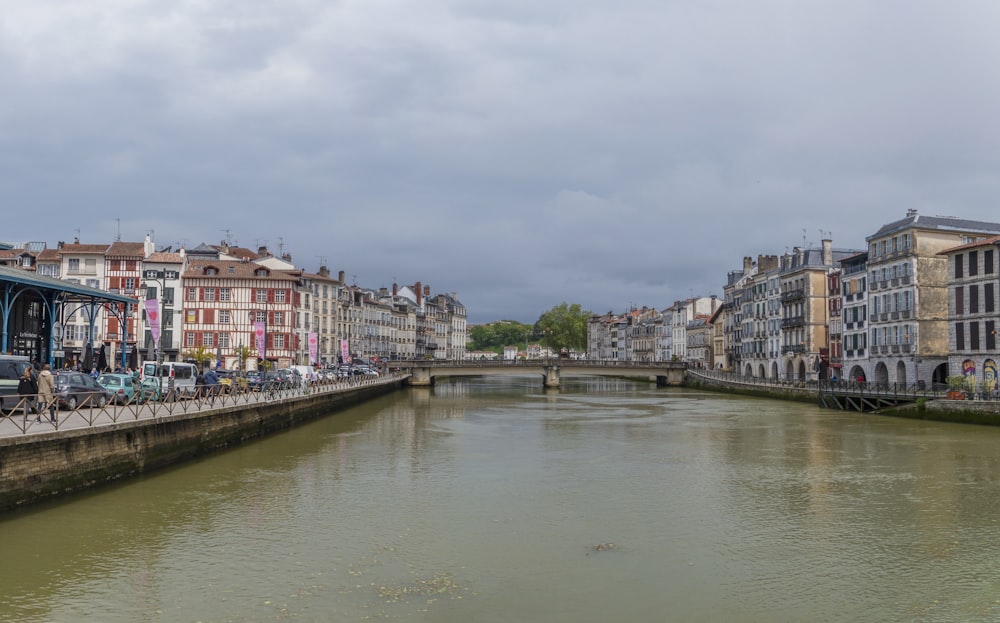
point(495, 500)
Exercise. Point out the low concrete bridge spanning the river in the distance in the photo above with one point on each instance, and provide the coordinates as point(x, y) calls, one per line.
point(424, 372)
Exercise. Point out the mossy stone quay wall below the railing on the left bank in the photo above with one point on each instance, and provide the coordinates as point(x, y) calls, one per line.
point(40, 466)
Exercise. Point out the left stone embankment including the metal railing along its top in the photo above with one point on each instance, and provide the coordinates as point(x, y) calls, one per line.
point(91, 447)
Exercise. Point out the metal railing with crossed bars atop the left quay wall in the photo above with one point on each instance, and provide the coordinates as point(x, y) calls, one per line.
point(23, 420)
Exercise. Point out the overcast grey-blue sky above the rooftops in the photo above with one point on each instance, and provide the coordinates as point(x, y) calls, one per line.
point(520, 153)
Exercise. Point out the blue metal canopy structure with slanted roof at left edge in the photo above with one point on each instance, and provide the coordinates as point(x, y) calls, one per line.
point(19, 287)
